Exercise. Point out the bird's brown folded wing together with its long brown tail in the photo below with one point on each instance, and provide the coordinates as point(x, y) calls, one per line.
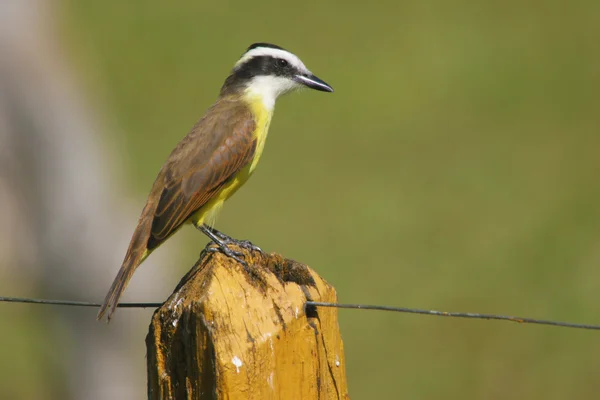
point(218, 146)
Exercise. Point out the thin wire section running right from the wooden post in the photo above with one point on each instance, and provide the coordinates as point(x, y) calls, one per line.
point(520, 320)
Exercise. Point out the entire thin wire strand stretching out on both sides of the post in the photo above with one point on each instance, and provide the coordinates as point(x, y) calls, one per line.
point(520, 320)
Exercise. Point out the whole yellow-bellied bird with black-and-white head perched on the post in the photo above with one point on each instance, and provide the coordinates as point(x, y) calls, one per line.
point(215, 158)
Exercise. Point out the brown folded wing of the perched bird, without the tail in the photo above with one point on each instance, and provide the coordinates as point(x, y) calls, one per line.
point(218, 146)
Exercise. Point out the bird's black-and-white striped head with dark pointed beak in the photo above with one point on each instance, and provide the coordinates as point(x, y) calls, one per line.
point(268, 71)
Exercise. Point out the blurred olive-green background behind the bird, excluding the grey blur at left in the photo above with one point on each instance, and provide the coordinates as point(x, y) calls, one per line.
point(455, 167)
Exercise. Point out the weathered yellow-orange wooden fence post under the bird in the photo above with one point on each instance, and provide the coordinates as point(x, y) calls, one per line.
point(229, 334)
